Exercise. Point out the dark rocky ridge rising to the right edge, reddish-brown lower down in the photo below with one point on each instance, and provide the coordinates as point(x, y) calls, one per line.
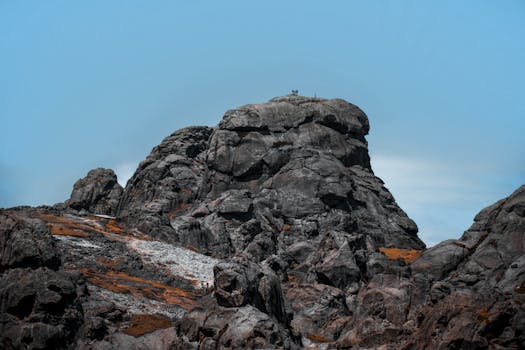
point(477, 300)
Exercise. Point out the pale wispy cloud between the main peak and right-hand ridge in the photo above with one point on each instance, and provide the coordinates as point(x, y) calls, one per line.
point(442, 198)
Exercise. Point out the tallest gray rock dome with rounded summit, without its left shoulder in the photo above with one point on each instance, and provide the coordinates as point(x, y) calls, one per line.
point(305, 165)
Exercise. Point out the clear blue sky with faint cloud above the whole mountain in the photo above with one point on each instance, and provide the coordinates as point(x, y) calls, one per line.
point(99, 83)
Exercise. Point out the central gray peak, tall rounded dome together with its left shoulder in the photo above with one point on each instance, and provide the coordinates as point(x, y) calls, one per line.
point(294, 162)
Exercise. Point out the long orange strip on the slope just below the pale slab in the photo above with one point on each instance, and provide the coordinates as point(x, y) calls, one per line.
point(120, 282)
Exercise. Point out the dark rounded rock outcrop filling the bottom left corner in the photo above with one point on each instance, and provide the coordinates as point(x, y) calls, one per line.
point(40, 302)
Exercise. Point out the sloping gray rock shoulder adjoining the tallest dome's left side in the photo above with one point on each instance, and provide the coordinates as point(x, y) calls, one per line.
point(166, 183)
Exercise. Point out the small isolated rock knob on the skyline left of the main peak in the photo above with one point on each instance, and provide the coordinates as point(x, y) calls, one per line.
point(97, 193)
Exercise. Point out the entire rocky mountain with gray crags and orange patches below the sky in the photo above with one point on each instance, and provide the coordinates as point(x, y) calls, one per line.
point(268, 231)
